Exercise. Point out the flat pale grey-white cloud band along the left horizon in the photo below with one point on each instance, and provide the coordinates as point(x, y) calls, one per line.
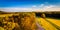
point(18, 9)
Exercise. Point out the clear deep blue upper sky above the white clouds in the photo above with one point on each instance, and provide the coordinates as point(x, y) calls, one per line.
point(27, 3)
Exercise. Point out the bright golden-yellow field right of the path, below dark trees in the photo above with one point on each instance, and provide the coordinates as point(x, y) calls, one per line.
point(47, 25)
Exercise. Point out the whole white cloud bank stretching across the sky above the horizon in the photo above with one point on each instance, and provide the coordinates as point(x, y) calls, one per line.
point(42, 8)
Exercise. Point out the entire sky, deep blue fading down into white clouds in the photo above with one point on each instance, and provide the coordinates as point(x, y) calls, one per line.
point(29, 4)
